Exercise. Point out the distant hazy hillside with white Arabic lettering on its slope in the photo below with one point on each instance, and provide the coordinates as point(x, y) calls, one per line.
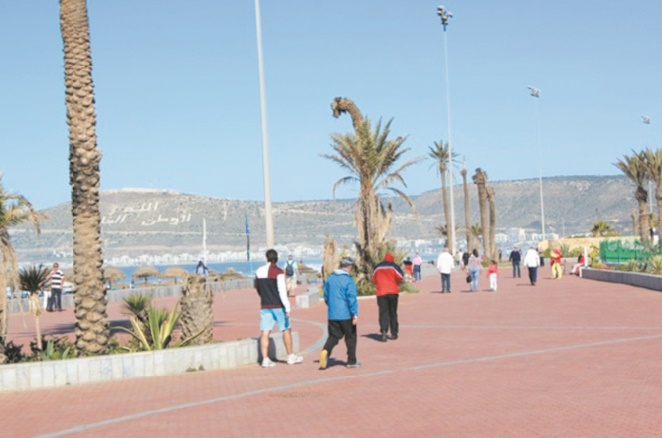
point(137, 221)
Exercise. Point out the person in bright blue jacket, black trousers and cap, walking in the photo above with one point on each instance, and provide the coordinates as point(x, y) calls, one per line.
point(343, 312)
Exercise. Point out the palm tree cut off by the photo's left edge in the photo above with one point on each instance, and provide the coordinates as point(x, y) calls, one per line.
point(14, 209)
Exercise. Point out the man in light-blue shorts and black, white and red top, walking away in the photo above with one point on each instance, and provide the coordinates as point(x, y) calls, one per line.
point(274, 308)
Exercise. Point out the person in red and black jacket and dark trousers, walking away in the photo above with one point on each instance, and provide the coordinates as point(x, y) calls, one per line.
point(387, 277)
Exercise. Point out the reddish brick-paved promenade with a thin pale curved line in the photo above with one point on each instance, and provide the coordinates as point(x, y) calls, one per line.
point(566, 358)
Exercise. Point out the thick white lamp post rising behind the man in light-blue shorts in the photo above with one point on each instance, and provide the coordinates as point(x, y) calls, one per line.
point(269, 226)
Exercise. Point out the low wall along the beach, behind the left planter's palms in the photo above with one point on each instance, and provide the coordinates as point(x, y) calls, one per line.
point(16, 305)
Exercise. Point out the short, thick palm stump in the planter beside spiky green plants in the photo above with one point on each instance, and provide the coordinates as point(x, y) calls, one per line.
point(197, 316)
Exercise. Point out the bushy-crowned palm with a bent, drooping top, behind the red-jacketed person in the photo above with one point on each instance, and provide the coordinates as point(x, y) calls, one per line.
point(371, 159)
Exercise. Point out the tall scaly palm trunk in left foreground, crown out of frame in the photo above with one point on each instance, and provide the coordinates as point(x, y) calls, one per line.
point(92, 331)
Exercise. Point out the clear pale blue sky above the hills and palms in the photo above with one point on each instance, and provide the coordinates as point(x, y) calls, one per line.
point(178, 103)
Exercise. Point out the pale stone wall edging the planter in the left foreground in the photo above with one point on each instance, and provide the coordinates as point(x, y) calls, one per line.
point(223, 355)
